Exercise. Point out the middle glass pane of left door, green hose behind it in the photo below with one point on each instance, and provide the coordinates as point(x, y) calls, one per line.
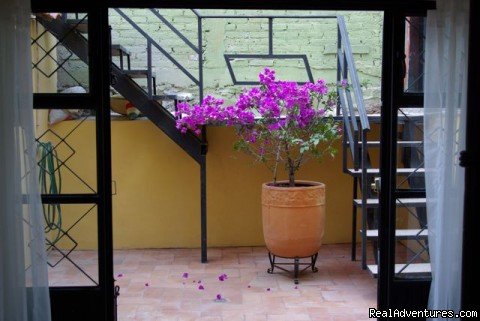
point(66, 151)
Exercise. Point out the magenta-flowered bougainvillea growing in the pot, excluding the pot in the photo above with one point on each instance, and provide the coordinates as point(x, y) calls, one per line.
point(278, 122)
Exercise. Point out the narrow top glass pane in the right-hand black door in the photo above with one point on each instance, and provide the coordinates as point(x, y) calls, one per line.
point(414, 54)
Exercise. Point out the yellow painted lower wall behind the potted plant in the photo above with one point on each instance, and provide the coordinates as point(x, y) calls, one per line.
point(157, 201)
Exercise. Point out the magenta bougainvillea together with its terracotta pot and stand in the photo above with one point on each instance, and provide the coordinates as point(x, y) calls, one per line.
point(281, 124)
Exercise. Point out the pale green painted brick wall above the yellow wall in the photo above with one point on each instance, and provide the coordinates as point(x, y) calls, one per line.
point(314, 37)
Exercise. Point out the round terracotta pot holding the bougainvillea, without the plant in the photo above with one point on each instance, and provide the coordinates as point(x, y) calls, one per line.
point(293, 218)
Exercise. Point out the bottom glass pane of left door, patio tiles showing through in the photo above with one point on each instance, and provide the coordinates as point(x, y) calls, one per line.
point(72, 244)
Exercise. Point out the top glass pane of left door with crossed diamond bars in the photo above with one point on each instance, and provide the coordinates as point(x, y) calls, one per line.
point(59, 45)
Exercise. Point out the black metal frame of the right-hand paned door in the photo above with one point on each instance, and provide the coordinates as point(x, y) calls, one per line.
point(394, 292)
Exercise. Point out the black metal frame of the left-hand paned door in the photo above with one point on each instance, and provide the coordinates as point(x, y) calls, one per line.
point(99, 298)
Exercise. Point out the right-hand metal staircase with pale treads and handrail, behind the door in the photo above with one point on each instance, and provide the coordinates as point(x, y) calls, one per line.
point(365, 177)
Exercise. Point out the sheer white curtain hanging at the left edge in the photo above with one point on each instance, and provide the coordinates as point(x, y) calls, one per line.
point(23, 269)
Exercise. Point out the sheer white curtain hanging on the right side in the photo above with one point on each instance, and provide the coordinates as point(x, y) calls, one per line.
point(445, 115)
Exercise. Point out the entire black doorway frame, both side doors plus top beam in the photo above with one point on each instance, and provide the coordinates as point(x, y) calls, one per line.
point(102, 297)
